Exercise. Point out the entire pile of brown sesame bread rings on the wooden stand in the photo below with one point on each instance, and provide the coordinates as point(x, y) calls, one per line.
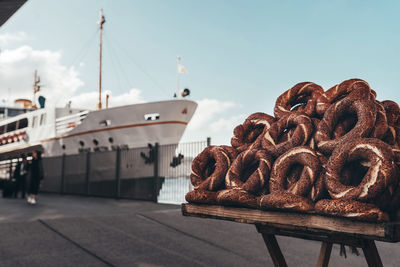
point(333, 152)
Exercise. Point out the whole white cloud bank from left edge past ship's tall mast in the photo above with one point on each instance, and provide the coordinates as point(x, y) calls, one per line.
point(59, 83)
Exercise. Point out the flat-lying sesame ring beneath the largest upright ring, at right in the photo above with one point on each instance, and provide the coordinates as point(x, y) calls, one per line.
point(351, 209)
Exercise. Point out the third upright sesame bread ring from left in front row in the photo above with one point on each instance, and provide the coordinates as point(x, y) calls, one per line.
point(303, 156)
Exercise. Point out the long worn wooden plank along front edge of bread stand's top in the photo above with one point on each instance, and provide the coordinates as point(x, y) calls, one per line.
point(299, 222)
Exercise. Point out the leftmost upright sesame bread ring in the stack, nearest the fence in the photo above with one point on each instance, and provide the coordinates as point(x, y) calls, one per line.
point(209, 168)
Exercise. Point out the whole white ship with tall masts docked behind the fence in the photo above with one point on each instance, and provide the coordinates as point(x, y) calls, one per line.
point(58, 131)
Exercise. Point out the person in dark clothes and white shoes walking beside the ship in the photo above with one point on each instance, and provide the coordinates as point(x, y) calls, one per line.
point(36, 176)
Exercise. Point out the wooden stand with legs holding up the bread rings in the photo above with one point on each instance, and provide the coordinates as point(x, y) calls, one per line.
point(329, 230)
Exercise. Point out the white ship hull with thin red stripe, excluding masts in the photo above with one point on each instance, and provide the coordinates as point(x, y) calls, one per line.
point(128, 126)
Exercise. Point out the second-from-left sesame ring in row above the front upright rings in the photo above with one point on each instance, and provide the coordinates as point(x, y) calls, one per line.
point(303, 128)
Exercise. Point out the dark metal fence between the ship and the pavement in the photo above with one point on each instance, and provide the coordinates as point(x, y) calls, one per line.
point(156, 173)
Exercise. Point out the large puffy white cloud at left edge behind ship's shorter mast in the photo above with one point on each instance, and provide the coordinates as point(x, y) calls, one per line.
point(17, 68)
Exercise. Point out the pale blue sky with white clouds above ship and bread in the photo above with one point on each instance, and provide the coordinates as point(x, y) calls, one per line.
point(240, 55)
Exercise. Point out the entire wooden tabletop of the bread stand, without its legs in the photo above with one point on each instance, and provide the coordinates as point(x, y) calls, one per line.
point(306, 226)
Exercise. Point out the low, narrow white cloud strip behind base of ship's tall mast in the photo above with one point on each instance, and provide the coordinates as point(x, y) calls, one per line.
point(89, 100)
